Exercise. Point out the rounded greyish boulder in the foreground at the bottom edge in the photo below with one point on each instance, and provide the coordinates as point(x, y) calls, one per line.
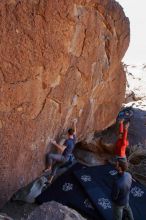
point(55, 211)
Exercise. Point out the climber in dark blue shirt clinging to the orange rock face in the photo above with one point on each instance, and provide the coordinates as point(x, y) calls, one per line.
point(66, 151)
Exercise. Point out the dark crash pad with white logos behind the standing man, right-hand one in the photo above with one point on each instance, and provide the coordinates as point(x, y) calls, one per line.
point(97, 182)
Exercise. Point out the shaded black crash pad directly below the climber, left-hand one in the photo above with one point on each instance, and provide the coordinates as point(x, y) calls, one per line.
point(68, 191)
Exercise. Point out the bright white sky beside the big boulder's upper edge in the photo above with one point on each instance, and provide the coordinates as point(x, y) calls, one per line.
point(136, 12)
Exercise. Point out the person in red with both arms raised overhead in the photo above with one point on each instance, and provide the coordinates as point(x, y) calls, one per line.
point(122, 142)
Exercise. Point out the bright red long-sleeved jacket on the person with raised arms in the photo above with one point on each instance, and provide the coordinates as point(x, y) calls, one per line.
point(121, 143)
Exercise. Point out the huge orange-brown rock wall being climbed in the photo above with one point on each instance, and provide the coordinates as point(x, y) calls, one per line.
point(59, 60)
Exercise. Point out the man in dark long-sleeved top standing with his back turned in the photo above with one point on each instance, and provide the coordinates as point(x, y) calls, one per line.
point(121, 191)
